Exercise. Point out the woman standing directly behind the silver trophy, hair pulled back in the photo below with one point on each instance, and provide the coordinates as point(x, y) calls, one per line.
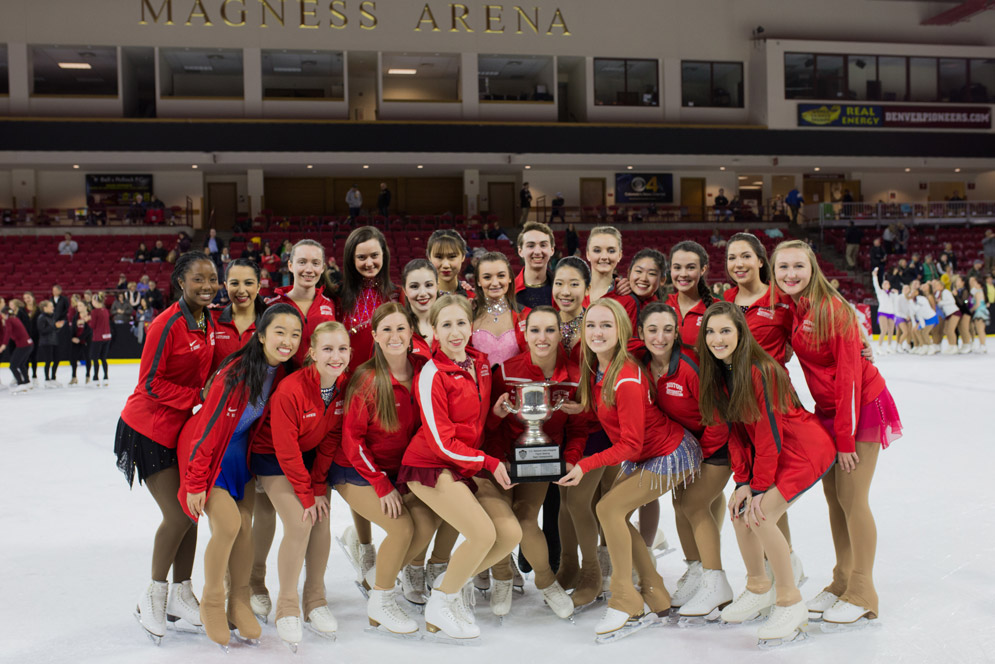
point(544, 368)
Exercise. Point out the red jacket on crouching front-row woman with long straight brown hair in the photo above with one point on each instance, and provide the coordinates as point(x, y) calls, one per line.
point(790, 450)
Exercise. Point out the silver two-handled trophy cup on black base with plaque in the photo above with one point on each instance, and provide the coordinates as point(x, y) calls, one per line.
point(535, 458)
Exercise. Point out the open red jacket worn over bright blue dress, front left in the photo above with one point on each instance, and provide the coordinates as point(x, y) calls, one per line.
point(205, 436)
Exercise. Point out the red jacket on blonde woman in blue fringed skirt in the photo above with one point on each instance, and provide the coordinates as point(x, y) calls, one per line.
point(637, 429)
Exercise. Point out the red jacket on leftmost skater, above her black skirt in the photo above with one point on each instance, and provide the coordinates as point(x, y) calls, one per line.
point(176, 362)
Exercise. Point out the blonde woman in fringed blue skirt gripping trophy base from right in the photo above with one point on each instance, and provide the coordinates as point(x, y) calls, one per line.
point(656, 454)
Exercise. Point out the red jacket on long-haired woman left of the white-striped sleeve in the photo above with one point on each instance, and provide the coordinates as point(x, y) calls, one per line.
point(366, 446)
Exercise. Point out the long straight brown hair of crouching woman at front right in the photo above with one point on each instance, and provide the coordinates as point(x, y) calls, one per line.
point(738, 401)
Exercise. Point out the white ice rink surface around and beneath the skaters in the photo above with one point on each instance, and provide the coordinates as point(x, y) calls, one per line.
point(77, 546)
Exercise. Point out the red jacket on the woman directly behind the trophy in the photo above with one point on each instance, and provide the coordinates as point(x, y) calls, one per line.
point(567, 431)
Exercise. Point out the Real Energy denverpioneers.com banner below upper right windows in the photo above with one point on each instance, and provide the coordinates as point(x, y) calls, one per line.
point(862, 116)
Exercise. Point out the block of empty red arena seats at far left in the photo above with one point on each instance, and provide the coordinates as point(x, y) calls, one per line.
point(34, 264)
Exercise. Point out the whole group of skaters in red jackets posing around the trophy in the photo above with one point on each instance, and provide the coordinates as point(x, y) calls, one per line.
point(398, 397)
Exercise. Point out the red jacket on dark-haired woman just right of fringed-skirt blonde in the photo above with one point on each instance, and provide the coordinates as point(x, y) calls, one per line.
point(677, 396)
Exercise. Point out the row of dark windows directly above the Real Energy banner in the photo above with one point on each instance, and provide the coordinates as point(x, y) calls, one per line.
point(888, 78)
